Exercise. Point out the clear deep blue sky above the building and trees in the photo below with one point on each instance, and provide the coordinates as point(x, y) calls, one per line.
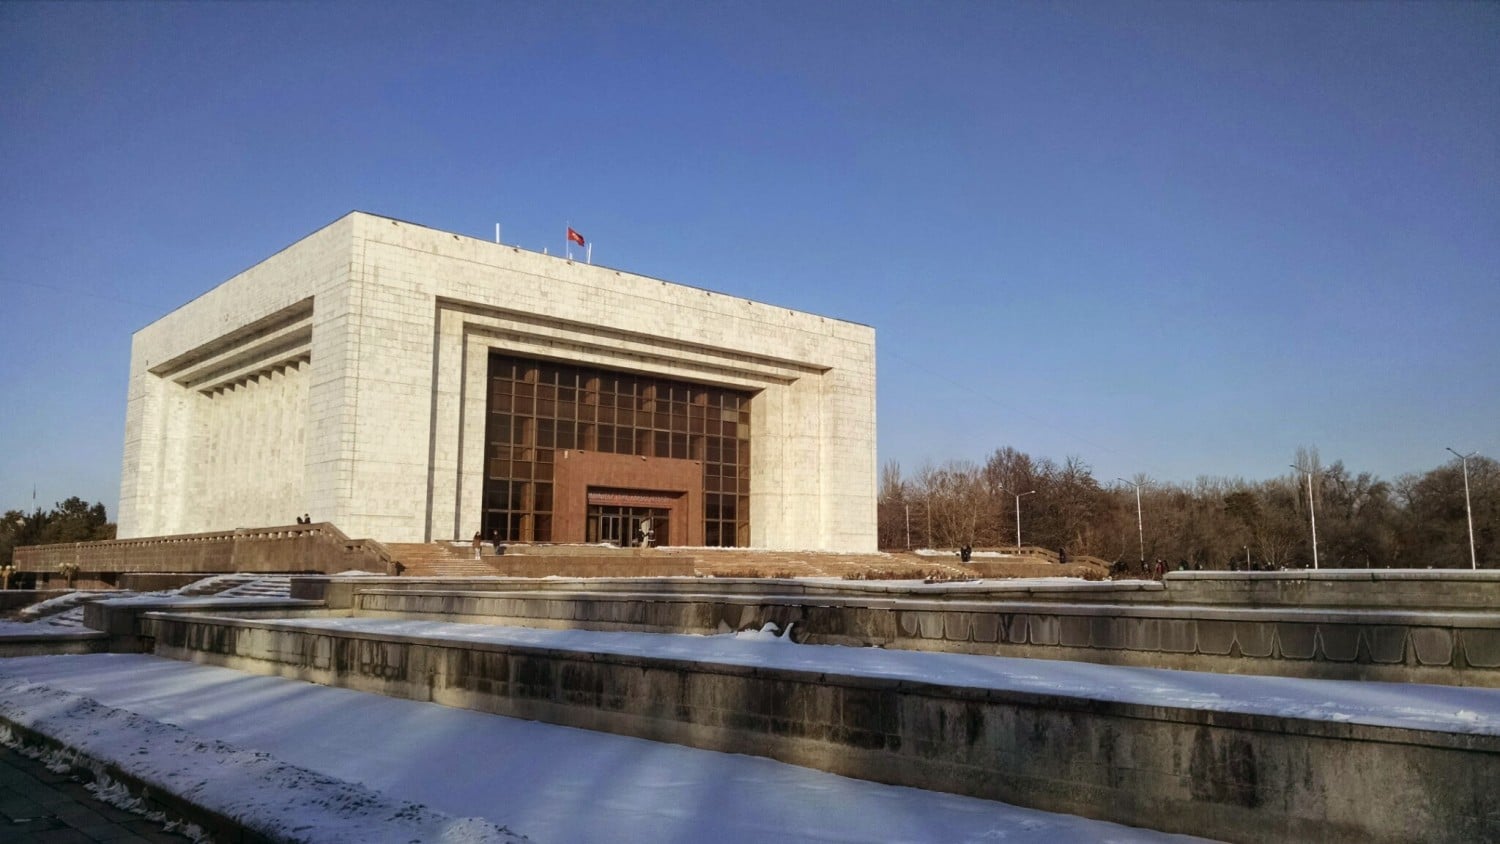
point(1178, 239)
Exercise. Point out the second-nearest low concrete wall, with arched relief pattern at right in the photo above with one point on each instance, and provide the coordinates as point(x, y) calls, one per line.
point(1453, 648)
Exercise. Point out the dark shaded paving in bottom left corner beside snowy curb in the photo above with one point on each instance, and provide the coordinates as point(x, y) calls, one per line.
point(43, 807)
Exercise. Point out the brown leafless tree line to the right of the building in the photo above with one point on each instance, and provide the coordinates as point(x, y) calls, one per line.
point(1363, 522)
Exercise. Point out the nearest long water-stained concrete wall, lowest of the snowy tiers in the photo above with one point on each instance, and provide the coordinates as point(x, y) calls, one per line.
point(1217, 774)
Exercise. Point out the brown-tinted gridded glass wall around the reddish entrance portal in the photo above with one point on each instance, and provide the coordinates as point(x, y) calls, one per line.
point(538, 409)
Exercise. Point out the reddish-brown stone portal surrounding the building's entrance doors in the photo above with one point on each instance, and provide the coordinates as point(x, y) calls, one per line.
point(664, 483)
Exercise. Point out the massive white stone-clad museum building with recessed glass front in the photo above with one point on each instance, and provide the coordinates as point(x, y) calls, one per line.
point(410, 385)
